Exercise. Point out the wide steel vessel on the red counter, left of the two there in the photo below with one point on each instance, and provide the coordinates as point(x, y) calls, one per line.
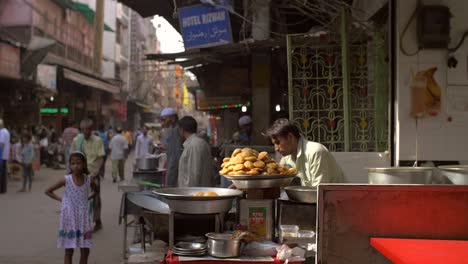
point(400, 175)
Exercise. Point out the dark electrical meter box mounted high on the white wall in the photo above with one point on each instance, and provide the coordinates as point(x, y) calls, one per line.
point(434, 27)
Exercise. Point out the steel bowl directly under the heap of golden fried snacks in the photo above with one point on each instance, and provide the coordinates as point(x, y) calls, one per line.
point(260, 181)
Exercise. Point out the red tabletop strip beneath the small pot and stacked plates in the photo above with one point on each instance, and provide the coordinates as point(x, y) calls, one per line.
point(174, 259)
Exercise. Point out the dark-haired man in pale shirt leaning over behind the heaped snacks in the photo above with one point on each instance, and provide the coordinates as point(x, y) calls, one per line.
point(314, 163)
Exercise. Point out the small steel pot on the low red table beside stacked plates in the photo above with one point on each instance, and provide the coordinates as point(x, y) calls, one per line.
point(223, 245)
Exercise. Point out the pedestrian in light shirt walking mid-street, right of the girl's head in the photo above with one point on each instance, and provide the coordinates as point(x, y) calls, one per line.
point(118, 147)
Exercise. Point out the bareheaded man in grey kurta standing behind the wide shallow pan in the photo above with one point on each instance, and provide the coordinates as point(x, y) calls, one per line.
point(195, 164)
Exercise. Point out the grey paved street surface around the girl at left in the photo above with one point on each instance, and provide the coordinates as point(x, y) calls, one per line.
point(29, 223)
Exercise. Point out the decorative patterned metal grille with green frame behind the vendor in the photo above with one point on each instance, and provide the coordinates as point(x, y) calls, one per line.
point(315, 85)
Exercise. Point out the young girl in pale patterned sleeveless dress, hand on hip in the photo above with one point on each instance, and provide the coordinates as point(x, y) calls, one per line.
point(75, 223)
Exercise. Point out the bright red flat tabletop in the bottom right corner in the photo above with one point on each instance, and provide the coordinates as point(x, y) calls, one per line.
point(427, 251)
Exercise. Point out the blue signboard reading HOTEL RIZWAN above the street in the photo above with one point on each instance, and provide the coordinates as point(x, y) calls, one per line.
point(204, 26)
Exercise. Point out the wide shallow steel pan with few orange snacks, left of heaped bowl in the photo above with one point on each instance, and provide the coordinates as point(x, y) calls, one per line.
point(181, 200)
